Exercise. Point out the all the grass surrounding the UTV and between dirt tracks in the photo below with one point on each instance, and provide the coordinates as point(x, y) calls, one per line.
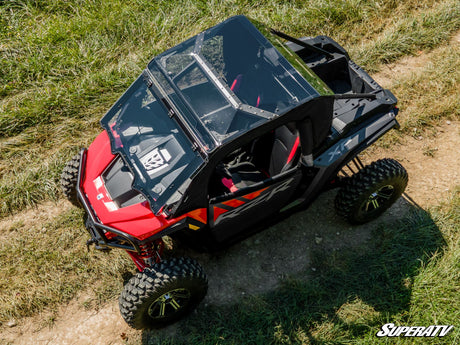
point(62, 65)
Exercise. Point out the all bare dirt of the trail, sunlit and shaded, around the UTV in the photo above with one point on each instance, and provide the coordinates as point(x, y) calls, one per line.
point(433, 165)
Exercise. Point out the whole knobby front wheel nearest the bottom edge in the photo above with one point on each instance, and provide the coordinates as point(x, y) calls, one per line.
point(163, 293)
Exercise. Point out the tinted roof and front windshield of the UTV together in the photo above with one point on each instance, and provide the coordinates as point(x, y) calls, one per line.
point(206, 93)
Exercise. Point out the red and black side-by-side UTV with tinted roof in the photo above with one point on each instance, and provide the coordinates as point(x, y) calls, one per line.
point(220, 136)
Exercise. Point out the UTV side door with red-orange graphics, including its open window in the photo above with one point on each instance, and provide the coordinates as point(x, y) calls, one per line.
point(258, 182)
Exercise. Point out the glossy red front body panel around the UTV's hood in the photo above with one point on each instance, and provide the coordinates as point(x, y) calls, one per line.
point(136, 220)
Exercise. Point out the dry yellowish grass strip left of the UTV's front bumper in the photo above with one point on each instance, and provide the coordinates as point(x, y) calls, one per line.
point(45, 264)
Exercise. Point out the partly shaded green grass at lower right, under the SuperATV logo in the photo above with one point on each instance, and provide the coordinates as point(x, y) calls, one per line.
point(407, 274)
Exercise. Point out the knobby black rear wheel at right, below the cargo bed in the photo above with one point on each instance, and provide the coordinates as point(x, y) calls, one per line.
point(371, 191)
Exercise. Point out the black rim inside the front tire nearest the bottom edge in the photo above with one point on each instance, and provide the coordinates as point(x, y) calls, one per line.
point(169, 303)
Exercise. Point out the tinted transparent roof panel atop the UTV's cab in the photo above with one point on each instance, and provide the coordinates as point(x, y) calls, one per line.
point(231, 78)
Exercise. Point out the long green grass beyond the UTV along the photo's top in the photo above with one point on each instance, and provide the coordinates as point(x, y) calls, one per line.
point(64, 63)
